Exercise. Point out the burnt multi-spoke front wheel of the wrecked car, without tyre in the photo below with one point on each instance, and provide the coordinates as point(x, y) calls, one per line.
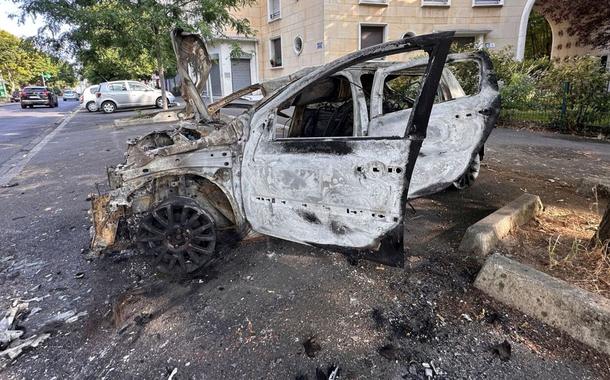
point(180, 236)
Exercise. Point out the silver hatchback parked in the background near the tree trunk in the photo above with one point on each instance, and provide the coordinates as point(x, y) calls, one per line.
point(126, 94)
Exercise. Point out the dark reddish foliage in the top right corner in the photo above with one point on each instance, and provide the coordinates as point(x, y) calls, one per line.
point(588, 21)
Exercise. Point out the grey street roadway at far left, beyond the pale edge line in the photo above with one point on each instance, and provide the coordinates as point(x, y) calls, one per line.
point(20, 128)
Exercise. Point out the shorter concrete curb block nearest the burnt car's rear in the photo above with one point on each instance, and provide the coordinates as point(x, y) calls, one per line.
point(482, 236)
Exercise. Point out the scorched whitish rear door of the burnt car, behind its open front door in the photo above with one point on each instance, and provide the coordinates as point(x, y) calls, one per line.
point(478, 111)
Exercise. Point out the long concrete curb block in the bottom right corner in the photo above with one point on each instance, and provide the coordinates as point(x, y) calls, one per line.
point(582, 315)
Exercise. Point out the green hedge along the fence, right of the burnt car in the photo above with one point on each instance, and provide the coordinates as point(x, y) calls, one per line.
point(535, 90)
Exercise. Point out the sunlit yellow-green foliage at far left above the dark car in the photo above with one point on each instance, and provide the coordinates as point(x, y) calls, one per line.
point(21, 63)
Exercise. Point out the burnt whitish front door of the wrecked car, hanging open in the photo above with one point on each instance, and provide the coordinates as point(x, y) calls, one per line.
point(321, 185)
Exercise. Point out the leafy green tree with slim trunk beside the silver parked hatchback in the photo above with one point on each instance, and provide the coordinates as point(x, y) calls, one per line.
point(135, 33)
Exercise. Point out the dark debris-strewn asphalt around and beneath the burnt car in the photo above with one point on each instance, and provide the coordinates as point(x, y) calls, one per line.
point(249, 316)
